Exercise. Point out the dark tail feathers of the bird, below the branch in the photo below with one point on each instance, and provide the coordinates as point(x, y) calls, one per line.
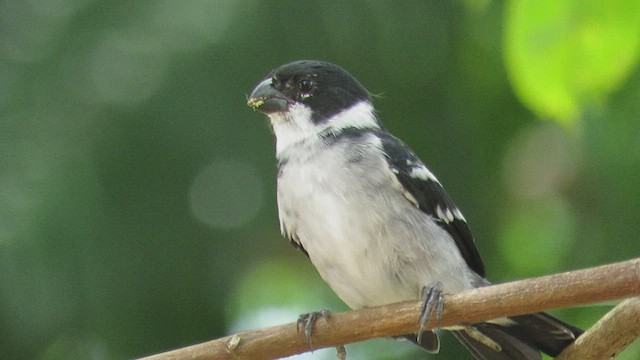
point(522, 337)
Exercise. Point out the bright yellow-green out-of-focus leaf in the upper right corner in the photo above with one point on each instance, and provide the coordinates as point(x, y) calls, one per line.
point(562, 55)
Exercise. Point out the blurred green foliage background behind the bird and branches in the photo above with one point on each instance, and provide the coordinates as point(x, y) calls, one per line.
point(137, 196)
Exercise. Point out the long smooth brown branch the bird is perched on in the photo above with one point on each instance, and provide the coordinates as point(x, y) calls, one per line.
point(603, 283)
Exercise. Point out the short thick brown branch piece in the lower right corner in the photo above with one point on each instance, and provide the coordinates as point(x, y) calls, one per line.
point(609, 336)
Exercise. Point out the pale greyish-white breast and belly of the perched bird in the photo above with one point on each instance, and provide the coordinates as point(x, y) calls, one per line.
point(368, 242)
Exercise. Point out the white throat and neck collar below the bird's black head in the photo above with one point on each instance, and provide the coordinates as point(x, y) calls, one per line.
point(296, 126)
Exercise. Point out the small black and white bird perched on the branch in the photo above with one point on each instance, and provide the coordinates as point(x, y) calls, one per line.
point(375, 222)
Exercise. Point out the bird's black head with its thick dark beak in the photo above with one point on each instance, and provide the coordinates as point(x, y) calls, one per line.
point(324, 88)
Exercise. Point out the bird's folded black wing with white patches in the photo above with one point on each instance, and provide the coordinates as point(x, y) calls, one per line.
point(428, 195)
